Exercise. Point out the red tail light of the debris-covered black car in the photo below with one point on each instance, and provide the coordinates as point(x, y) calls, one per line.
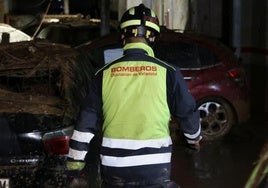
point(57, 142)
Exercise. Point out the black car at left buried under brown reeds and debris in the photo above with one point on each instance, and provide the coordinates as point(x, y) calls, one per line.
point(40, 89)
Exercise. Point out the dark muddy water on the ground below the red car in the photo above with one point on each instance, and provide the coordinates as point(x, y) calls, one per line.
point(221, 164)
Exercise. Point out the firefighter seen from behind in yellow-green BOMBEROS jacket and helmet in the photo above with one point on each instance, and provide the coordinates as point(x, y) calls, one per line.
point(134, 98)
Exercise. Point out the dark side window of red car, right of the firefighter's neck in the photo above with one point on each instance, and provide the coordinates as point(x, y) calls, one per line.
point(185, 55)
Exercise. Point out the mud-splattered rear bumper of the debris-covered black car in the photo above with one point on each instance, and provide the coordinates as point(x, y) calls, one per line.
point(38, 172)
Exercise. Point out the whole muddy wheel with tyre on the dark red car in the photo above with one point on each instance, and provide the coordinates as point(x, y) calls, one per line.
point(216, 118)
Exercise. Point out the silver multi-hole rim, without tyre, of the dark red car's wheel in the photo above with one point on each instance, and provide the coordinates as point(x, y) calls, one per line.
point(213, 118)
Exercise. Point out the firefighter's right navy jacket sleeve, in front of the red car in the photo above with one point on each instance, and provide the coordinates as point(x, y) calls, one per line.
point(183, 107)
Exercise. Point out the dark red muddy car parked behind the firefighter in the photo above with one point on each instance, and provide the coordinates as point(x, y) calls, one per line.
point(214, 76)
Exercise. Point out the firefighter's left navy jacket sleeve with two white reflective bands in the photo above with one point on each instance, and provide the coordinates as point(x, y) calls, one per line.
point(89, 118)
